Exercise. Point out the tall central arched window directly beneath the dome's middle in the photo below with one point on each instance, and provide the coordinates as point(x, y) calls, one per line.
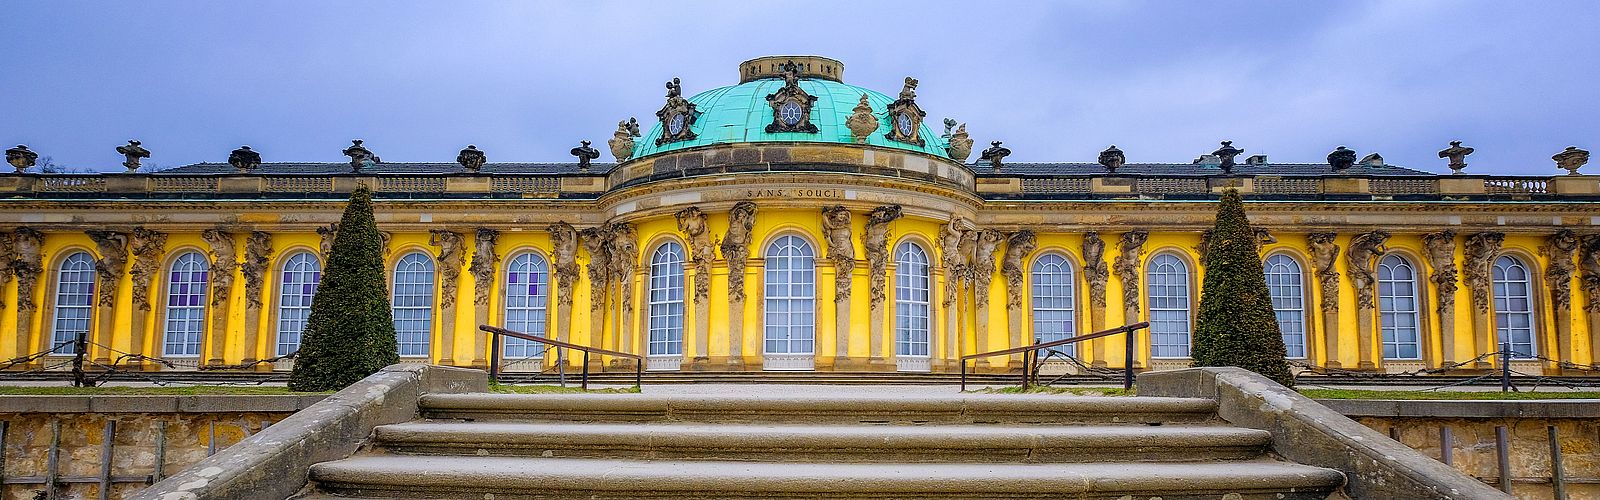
point(791, 297)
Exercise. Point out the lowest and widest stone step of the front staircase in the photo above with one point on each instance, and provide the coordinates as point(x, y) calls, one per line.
point(506, 478)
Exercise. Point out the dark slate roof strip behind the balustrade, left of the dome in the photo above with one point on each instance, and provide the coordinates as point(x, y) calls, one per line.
point(388, 169)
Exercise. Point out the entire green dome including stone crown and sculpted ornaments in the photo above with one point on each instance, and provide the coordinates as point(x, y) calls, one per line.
point(762, 108)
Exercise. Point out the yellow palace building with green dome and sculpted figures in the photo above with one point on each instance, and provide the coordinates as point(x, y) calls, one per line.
point(796, 222)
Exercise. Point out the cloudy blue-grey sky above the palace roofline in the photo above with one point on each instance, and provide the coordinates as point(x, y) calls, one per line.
point(1055, 81)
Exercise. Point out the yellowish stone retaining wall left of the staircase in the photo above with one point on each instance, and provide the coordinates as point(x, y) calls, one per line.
point(174, 432)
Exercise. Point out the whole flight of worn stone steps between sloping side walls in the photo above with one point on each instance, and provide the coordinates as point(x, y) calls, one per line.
point(814, 446)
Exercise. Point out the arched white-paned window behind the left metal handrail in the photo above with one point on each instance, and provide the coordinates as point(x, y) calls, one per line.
point(527, 300)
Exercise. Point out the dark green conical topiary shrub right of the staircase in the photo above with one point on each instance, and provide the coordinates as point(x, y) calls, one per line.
point(1238, 326)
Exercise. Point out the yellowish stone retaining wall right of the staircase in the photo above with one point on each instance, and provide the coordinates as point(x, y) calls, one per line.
point(1473, 437)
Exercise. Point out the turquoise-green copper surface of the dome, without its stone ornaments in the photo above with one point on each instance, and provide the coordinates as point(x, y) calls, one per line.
point(740, 115)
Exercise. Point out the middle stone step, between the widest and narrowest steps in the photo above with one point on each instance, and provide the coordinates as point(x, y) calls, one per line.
point(830, 443)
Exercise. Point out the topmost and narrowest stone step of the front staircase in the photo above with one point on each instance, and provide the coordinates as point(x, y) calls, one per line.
point(1046, 409)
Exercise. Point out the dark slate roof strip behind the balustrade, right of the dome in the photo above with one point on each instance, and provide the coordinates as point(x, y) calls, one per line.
point(1196, 169)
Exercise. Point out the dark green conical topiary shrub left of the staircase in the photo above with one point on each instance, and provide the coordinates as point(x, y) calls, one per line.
point(351, 333)
